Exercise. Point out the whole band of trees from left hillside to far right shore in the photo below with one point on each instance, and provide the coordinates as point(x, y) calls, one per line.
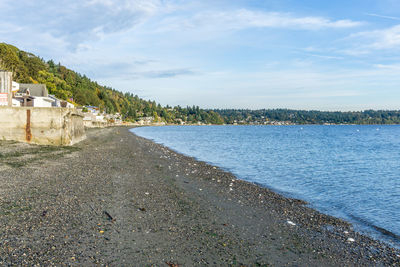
point(69, 85)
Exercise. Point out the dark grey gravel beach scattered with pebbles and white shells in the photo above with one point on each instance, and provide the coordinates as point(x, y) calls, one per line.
point(116, 199)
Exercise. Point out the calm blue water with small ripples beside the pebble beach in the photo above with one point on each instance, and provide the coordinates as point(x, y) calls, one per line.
point(350, 172)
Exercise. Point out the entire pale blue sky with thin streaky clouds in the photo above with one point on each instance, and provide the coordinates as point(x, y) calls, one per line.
point(308, 54)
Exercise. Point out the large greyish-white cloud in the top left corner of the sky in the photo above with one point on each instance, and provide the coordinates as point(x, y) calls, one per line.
point(77, 22)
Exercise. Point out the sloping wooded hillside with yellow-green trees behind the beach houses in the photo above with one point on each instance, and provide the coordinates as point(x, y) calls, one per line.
point(67, 84)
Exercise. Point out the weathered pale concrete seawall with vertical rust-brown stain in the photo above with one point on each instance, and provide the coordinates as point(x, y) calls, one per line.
point(45, 126)
